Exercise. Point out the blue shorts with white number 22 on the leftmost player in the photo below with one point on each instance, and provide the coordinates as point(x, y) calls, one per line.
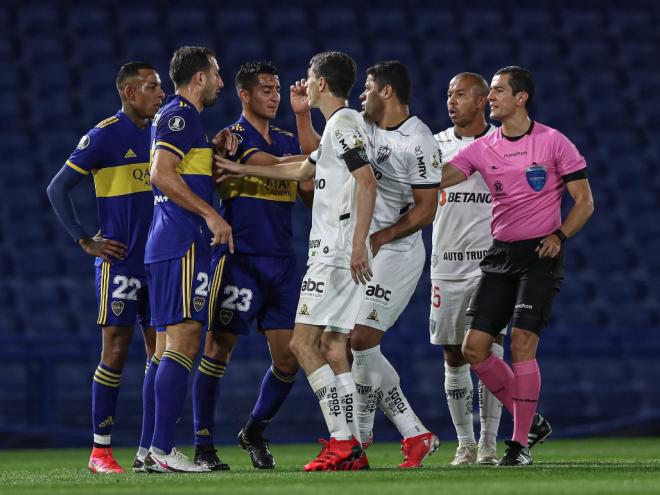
point(122, 297)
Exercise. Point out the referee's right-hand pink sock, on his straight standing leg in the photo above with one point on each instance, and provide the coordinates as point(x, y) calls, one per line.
point(527, 385)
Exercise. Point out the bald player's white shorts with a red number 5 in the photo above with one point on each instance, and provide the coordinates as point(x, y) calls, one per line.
point(449, 302)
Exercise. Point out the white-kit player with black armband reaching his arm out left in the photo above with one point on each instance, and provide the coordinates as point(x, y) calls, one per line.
point(339, 259)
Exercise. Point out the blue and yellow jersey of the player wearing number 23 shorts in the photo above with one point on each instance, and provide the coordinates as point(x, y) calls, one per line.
point(259, 210)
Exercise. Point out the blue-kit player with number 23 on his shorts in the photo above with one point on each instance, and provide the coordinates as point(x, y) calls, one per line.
point(253, 287)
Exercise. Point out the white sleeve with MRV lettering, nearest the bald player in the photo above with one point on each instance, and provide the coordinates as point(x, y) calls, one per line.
point(423, 161)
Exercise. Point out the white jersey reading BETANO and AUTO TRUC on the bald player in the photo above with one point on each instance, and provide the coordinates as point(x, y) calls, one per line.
point(461, 228)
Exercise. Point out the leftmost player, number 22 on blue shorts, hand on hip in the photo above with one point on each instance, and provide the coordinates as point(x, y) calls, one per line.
point(116, 152)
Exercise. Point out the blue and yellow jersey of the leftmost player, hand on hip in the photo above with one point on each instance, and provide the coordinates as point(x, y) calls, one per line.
point(116, 153)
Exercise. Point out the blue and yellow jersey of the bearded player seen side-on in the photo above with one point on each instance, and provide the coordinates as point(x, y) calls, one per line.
point(178, 129)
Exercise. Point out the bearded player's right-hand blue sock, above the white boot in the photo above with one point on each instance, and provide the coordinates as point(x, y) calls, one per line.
point(170, 389)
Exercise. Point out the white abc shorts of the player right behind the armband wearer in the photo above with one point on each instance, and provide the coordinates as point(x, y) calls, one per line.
point(396, 274)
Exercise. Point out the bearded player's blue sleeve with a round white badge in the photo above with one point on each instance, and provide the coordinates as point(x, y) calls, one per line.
point(177, 131)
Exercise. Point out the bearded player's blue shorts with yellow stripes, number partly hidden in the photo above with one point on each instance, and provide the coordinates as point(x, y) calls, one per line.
point(179, 288)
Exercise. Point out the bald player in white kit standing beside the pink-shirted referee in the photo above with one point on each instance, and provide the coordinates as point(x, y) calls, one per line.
point(461, 237)
